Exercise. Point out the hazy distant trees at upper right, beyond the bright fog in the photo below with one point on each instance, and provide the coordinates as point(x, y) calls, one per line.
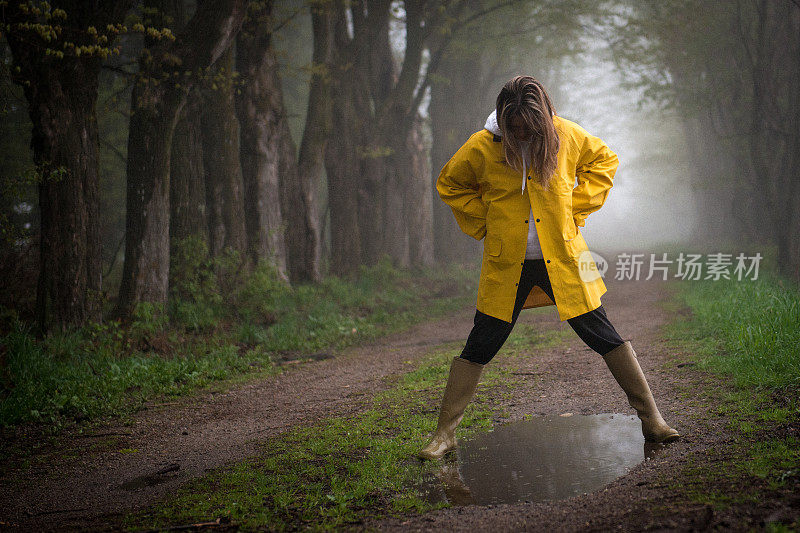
point(732, 70)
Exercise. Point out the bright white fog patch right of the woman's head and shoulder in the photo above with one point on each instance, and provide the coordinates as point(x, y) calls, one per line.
point(651, 202)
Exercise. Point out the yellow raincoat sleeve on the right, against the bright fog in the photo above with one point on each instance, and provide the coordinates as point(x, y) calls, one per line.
point(595, 171)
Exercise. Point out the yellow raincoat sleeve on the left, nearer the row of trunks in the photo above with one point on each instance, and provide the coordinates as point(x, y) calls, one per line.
point(458, 187)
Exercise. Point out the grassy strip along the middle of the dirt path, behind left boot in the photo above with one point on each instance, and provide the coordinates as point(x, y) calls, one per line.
point(341, 470)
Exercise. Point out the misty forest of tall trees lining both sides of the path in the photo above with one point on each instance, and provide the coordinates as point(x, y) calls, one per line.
point(198, 126)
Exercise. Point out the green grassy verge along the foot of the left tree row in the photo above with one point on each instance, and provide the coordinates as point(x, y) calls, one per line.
point(209, 333)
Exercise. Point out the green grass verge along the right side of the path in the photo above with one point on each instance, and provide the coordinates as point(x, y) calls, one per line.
point(747, 332)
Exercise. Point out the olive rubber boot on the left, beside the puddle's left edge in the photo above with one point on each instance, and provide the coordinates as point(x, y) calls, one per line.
point(461, 384)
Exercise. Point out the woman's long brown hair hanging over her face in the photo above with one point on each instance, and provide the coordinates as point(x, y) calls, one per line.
point(525, 97)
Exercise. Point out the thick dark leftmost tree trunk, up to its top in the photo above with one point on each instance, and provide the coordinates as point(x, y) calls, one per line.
point(61, 95)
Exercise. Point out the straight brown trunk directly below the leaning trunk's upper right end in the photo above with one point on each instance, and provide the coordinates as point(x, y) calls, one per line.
point(223, 174)
